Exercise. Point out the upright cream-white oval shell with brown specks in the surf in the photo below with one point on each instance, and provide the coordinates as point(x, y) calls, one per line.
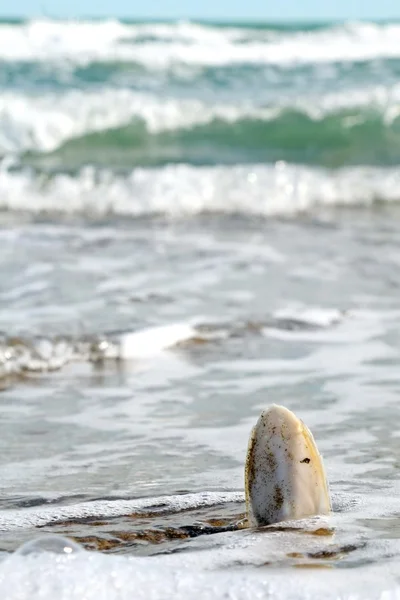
point(284, 473)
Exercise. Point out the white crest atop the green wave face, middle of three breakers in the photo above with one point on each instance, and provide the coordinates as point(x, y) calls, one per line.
point(43, 122)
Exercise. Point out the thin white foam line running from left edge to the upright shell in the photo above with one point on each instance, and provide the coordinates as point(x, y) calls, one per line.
point(33, 517)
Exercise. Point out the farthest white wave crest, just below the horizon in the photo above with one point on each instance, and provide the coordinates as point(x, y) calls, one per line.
point(165, 45)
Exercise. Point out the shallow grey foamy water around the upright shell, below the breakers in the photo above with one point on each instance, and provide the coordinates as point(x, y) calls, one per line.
point(303, 313)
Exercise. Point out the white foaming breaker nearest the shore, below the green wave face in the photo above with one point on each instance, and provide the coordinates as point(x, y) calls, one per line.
point(181, 191)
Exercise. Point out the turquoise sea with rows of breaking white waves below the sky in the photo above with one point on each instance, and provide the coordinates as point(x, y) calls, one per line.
point(97, 100)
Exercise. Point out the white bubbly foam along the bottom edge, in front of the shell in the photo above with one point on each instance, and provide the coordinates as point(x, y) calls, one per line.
point(182, 576)
